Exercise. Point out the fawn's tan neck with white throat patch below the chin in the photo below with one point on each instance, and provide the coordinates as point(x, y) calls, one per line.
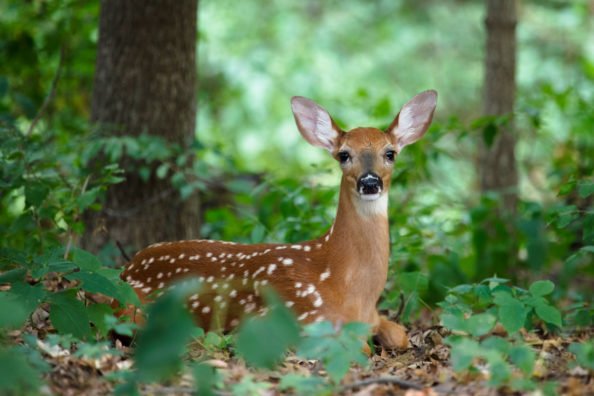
point(358, 242)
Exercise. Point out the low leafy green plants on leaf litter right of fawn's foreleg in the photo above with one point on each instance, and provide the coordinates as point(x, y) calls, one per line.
point(472, 311)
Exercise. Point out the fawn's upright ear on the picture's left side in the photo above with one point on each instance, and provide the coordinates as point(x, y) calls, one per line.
point(314, 123)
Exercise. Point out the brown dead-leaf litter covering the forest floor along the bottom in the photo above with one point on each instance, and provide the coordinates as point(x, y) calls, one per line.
point(423, 369)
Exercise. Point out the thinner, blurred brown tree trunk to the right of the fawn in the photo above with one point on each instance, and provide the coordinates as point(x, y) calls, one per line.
point(498, 172)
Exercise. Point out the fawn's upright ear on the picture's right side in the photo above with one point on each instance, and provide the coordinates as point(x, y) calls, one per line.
point(414, 119)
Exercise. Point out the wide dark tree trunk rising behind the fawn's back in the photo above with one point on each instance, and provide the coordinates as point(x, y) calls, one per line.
point(145, 82)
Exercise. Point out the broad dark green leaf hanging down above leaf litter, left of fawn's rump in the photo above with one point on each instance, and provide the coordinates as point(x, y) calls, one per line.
point(69, 315)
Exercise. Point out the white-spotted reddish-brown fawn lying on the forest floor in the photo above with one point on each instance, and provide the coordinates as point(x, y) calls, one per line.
point(338, 276)
